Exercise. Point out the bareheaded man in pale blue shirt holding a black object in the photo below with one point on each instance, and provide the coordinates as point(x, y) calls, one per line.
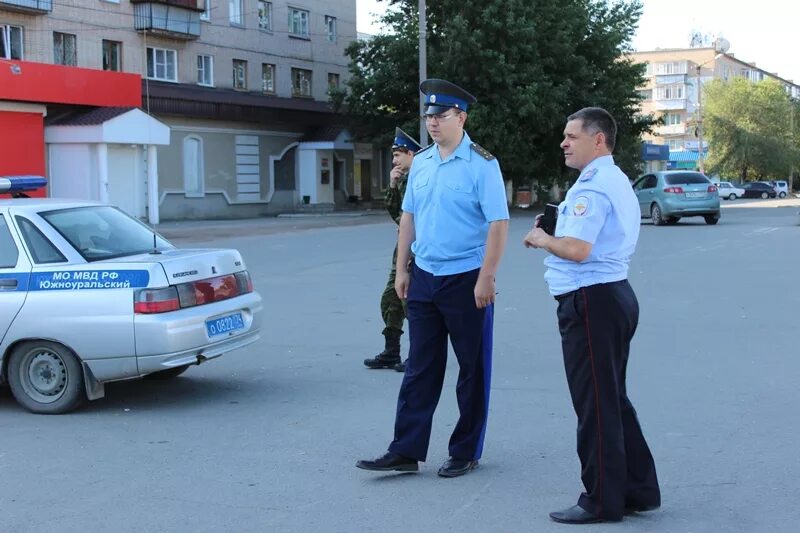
point(595, 236)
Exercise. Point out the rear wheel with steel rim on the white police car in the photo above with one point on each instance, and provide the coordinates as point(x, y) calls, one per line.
point(46, 377)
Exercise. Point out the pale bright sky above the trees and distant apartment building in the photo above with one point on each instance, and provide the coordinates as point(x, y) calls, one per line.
point(762, 32)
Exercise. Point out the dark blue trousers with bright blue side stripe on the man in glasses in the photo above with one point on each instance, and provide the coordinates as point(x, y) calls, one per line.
point(439, 307)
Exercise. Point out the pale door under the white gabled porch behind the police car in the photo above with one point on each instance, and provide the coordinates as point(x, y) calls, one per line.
point(126, 179)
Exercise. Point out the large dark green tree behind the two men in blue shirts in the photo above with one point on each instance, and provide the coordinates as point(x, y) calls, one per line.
point(530, 63)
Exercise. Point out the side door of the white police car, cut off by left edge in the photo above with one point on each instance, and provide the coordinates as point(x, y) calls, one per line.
point(15, 271)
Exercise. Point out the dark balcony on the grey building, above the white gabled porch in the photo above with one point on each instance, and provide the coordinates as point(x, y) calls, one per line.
point(177, 19)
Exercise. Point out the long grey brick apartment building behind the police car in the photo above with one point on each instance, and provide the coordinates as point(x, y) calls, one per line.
point(241, 85)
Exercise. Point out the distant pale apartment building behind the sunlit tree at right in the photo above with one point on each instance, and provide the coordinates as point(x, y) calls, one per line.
point(671, 92)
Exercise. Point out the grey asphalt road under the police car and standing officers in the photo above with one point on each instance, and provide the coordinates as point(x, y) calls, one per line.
point(265, 439)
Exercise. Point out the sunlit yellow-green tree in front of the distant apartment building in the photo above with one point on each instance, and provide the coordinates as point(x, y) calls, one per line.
point(749, 129)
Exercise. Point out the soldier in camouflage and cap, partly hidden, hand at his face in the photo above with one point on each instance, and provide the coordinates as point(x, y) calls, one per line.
point(393, 308)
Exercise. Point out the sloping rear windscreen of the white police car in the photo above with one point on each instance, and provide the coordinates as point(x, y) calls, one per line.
point(103, 232)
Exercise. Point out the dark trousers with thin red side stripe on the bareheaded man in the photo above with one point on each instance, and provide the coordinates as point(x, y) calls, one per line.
point(597, 324)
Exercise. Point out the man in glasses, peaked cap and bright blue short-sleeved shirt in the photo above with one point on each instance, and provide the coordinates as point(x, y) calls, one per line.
point(455, 219)
